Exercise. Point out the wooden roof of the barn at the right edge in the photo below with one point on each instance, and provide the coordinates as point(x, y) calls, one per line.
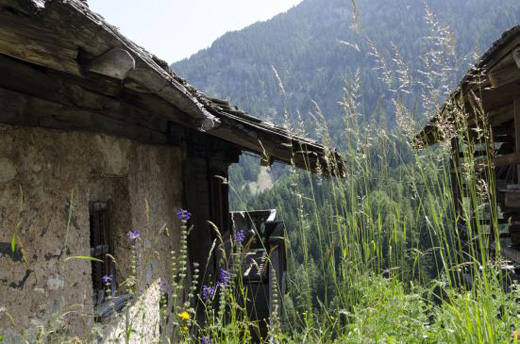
point(491, 84)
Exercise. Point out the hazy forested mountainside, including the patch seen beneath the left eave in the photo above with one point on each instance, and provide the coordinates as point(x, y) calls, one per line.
point(319, 45)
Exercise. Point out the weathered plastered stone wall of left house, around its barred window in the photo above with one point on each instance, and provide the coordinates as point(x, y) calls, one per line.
point(47, 174)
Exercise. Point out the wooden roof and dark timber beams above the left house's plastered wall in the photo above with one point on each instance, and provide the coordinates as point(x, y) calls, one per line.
point(65, 37)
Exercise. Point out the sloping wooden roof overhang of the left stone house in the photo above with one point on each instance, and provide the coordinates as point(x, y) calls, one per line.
point(66, 36)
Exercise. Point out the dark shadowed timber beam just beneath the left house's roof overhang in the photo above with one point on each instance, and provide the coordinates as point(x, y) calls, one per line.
point(88, 94)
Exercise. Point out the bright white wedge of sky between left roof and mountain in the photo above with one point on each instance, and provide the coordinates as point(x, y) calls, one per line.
point(175, 29)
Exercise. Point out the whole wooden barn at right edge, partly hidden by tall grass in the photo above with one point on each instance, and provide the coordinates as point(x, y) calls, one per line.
point(487, 105)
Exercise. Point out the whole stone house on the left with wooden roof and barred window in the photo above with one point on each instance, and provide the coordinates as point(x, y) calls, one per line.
point(98, 138)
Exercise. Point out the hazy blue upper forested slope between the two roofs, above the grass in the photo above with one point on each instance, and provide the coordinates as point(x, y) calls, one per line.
point(303, 45)
